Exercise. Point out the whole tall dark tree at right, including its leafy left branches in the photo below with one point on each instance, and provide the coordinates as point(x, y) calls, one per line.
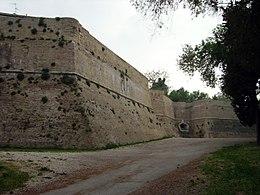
point(234, 49)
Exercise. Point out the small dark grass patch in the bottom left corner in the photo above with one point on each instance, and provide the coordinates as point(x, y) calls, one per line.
point(11, 177)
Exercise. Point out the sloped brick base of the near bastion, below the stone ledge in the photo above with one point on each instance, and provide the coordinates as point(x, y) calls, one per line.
point(70, 112)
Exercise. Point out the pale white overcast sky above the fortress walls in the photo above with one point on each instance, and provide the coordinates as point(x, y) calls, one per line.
point(131, 36)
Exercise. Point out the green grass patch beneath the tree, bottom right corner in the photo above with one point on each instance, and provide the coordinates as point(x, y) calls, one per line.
point(233, 170)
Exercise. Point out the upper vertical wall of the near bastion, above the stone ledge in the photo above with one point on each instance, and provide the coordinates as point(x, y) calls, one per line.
point(68, 47)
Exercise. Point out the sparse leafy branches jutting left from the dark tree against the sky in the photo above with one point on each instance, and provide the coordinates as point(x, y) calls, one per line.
point(206, 58)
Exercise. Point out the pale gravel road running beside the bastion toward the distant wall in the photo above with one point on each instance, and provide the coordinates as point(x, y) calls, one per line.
point(130, 168)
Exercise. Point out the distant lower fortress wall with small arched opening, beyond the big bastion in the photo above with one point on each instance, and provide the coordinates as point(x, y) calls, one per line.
point(206, 118)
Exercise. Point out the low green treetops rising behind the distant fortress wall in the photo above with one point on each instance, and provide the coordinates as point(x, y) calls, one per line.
point(182, 95)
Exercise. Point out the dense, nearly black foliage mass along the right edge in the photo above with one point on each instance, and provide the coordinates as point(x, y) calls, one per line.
point(242, 70)
